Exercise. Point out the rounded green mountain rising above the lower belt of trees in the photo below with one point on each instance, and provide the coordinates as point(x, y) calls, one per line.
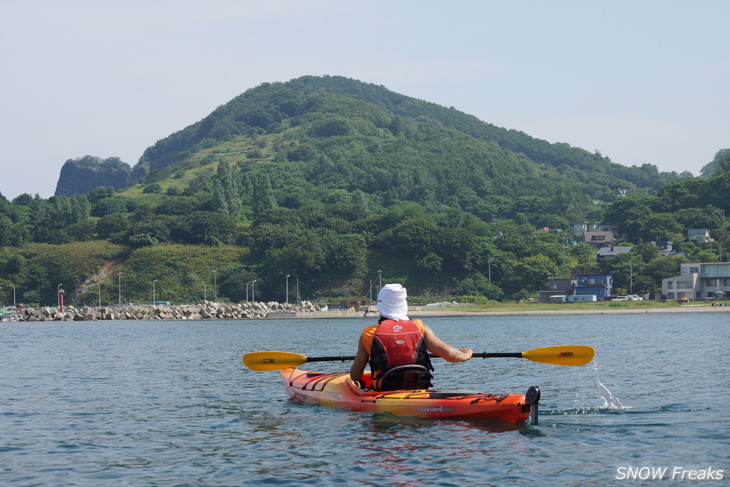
point(337, 133)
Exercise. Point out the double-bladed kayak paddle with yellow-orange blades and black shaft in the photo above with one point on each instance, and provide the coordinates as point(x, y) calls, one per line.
point(557, 355)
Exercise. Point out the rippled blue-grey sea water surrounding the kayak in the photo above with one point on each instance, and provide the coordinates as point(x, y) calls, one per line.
point(171, 404)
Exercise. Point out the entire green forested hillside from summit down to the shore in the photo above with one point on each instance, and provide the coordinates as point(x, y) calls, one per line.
point(335, 182)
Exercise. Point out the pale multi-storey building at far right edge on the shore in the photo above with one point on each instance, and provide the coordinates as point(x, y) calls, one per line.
point(698, 281)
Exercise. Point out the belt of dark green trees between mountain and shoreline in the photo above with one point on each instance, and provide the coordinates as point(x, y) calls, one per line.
point(334, 244)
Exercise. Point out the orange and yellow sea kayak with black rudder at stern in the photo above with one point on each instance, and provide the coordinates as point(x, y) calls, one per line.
point(338, 390)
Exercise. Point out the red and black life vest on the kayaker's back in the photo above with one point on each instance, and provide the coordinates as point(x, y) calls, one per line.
point(394, 343)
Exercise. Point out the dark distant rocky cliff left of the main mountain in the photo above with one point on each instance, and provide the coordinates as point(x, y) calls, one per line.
point(80, 176)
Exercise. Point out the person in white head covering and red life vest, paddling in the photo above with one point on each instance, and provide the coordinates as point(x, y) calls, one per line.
point(397, 341)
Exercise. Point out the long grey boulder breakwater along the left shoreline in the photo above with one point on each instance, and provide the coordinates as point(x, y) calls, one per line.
point(203, 311)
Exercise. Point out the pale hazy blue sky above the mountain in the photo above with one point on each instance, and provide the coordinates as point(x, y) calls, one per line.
point(639, 81)
